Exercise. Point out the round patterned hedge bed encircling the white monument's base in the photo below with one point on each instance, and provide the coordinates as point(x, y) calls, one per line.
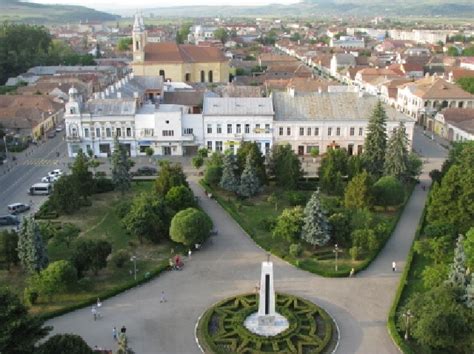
point(222, 329)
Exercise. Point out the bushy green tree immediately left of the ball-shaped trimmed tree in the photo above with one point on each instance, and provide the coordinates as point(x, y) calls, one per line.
point(147, 218)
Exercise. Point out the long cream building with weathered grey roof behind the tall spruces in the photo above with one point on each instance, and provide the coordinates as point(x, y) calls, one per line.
point(328, 120)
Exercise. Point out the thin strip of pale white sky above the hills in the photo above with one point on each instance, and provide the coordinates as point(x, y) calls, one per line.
point(138, 4)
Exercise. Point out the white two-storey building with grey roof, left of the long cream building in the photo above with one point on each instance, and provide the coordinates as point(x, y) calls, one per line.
point(230, 120)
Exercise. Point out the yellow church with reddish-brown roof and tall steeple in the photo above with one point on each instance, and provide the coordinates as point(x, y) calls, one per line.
point(176, 62)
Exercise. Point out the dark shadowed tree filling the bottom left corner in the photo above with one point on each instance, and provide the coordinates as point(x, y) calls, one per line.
point(19, 331)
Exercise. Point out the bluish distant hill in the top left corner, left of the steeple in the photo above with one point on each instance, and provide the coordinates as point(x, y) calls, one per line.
point(27, 12)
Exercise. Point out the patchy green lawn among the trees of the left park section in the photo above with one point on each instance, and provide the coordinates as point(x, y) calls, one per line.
point(99, 221)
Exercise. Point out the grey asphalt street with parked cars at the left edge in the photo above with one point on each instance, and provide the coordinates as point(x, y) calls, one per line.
point(16, 177)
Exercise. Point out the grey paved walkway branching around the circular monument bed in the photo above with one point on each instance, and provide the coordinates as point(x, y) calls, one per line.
point(231, 265)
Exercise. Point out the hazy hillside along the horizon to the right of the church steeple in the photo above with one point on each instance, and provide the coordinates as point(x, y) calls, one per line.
point(307, 8)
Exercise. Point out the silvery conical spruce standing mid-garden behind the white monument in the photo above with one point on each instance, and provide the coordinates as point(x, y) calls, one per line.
point(315, 230)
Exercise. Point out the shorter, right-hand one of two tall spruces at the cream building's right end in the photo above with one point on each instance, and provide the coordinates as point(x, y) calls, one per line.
point(396, 160)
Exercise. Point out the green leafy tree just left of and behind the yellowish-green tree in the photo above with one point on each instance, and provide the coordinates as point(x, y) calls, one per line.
point(333, 168)
